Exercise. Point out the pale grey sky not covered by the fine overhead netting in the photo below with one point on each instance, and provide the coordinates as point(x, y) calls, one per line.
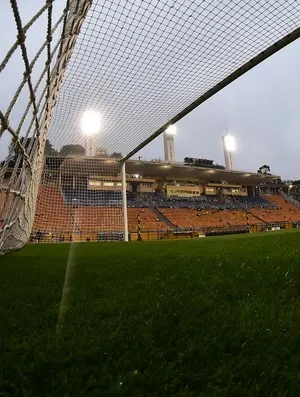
point(261, 109)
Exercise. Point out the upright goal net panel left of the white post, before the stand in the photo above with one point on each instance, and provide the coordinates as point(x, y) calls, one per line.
point(80, 199)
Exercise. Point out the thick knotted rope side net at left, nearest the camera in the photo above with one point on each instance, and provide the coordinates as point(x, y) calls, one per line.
point(27, 112)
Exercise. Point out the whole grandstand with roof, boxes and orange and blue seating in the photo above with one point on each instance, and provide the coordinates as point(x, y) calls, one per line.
point(81, 199)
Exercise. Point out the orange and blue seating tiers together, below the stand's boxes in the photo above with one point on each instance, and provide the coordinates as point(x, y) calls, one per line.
point(97, 212)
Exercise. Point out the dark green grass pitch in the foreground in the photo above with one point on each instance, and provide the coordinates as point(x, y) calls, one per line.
point(208, 317)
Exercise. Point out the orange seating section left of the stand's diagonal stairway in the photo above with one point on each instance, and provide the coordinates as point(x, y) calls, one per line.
point(65, 218)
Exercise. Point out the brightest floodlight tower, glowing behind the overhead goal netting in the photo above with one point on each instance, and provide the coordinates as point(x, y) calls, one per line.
point(90, 125)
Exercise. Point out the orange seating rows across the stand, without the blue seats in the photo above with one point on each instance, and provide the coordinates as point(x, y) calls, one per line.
point(56, 215)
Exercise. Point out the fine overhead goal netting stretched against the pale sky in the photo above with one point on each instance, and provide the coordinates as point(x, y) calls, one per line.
point(141, 62)
